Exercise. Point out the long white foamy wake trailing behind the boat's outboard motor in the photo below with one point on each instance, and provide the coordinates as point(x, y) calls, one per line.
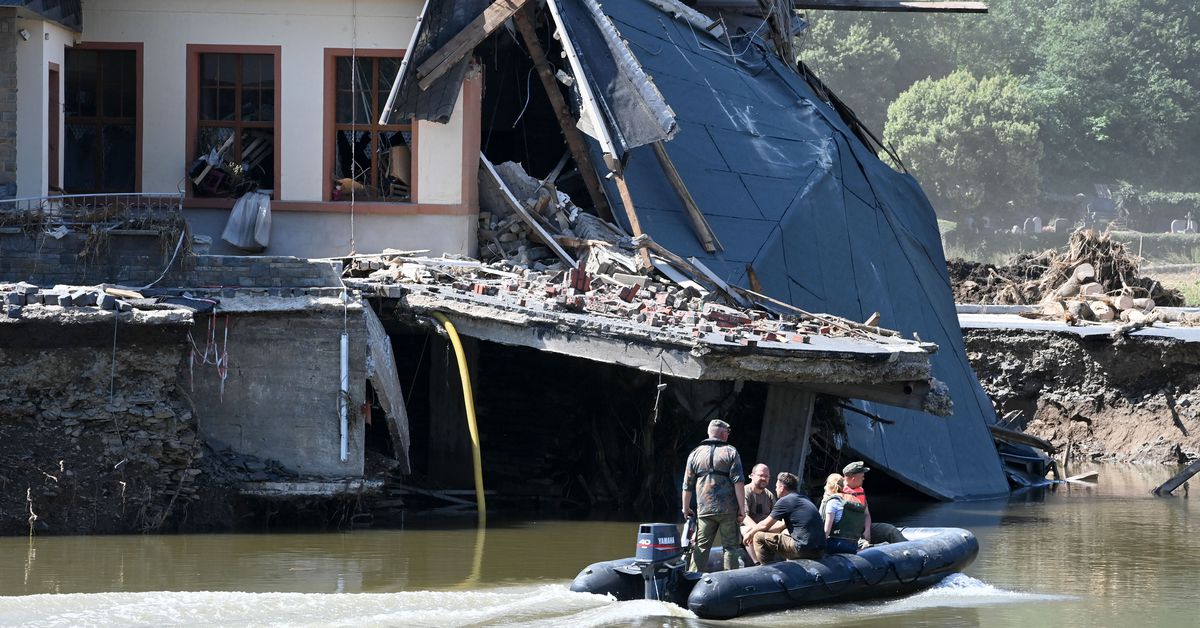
point(529, 606)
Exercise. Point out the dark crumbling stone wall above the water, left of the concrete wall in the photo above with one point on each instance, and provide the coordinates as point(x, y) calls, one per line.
point(95, 440)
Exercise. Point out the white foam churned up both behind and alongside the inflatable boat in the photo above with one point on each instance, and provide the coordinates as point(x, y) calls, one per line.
point(538, 607)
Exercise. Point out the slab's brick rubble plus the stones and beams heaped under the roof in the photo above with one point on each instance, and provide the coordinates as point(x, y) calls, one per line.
point(541, 253)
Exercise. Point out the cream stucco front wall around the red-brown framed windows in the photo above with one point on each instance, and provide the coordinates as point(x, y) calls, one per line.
point(303, 29)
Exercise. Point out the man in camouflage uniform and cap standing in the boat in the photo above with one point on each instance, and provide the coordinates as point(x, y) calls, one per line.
point(715, 475)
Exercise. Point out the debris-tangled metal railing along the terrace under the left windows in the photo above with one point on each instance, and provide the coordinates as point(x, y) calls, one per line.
point(94, 212)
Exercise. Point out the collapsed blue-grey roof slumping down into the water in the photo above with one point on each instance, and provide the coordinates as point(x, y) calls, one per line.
point(791, 202)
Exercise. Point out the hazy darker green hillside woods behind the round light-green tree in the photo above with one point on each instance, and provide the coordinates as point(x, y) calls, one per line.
point(1114, 82)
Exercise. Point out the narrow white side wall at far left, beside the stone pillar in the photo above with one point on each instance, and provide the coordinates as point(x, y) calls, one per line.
point(46, 45)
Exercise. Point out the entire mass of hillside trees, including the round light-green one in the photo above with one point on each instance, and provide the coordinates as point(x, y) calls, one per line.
point(1113, 87)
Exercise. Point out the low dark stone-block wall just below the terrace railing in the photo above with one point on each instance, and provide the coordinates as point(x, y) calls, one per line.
point(139, 258)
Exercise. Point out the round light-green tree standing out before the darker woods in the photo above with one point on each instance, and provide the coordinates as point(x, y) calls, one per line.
point(973, 143)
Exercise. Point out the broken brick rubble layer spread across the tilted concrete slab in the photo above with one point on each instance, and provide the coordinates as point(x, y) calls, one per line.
point(609, 295)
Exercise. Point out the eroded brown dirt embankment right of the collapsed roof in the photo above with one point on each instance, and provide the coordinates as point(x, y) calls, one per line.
point(1135, 400)
